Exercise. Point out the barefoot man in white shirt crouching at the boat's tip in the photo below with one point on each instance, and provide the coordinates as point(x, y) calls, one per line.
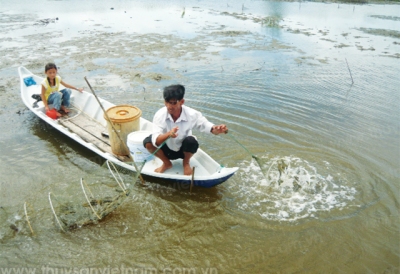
point(173, 124)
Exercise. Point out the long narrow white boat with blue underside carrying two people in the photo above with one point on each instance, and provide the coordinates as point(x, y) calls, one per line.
point(87, 125)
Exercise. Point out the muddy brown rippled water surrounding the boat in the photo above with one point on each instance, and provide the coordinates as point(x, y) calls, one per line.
point(310, 88)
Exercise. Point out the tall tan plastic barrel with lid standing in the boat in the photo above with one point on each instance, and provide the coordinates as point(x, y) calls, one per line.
point(125, 119)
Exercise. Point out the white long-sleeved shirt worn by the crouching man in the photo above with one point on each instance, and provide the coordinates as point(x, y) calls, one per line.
point(189, 119)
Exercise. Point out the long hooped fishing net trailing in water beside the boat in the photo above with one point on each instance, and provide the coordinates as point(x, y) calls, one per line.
point(82, 202)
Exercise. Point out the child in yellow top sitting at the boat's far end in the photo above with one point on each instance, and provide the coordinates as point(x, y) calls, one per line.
point(60, 99)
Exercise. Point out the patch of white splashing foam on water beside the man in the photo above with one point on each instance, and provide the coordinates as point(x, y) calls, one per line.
point(298, 191)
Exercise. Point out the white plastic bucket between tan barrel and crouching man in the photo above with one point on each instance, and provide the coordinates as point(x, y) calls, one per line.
point(135, 145)
